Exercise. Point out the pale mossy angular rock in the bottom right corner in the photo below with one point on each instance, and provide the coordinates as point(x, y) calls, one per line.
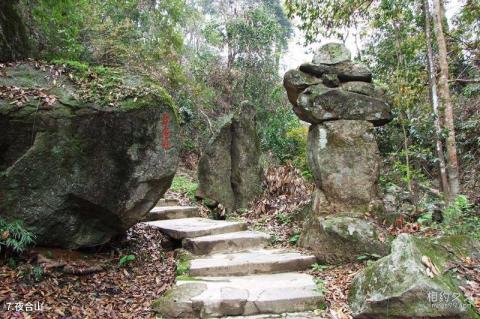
point(397, 286)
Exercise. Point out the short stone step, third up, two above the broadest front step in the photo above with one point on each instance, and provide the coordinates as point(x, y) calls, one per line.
point(228, 242)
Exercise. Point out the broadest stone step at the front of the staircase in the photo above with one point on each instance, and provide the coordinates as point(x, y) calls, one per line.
point(206, 297)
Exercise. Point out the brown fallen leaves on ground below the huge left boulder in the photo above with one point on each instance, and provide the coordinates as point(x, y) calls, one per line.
point(109, 292)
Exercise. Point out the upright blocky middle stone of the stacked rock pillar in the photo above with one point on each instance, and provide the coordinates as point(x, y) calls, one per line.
point(344, 158)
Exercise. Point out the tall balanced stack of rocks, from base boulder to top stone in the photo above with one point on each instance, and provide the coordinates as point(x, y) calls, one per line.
point(343, 106)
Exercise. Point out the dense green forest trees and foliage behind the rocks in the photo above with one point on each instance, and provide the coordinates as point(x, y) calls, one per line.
point(211, 55)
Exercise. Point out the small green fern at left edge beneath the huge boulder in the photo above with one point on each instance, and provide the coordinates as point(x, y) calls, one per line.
point(14, 237)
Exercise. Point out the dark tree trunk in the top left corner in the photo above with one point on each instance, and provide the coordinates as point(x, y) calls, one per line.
point(13, 35)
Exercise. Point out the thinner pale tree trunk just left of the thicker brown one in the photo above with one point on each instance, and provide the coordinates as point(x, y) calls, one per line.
point(434, 102)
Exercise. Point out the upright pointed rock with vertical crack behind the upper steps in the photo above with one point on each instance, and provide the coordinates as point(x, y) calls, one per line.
point(229, 172)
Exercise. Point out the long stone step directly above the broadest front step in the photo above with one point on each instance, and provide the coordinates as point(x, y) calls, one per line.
point(250, 262)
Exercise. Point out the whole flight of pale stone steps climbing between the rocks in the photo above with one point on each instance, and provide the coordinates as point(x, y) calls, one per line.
point(232, 272)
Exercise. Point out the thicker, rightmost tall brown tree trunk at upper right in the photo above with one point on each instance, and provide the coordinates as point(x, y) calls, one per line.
point(444, 92)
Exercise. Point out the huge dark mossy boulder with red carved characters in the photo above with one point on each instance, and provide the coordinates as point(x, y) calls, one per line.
point(79, 173)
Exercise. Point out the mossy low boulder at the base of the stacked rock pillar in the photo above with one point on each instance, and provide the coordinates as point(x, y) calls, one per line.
point(342, 239)
